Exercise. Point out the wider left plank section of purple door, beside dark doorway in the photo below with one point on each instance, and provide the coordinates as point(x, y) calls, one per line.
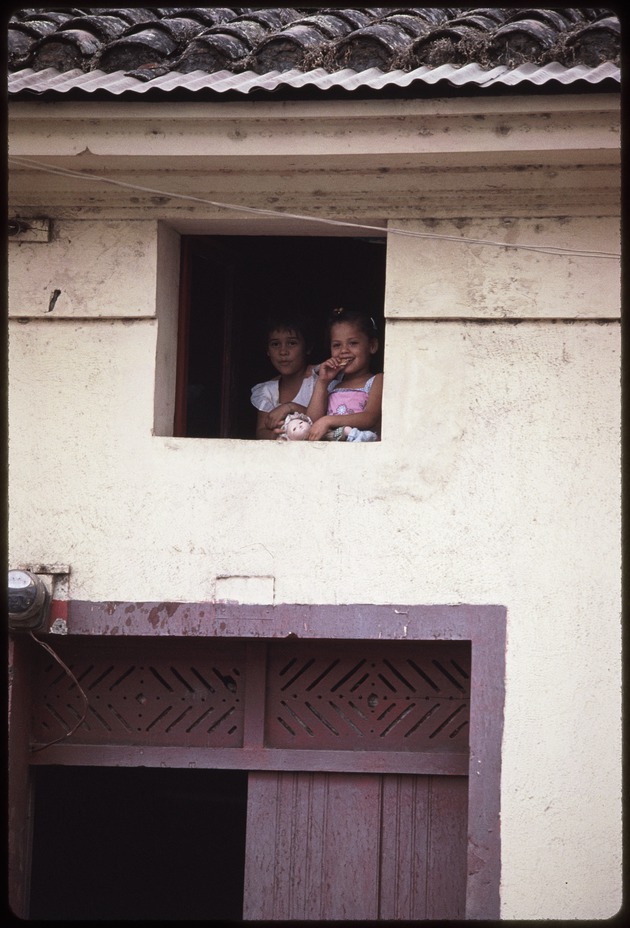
point(312, 847)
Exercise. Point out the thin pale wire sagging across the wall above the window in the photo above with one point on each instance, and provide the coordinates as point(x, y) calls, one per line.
point(545, 249)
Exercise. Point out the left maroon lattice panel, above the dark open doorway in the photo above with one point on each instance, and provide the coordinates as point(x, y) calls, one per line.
point(150, 692)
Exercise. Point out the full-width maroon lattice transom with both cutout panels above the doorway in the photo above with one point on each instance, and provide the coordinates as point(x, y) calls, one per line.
point(367, 696)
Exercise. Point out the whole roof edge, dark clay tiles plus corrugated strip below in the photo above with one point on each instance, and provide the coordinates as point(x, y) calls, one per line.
point(130, 51)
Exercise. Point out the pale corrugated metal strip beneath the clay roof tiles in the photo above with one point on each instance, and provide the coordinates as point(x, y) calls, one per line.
point(222, 81)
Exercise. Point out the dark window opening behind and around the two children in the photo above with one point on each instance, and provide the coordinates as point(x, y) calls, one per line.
point(230, 284)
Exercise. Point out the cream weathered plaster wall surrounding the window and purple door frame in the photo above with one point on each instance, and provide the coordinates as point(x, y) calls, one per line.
point(497, 481)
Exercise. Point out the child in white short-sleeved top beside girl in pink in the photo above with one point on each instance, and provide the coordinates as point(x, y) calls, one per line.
point(288, 347)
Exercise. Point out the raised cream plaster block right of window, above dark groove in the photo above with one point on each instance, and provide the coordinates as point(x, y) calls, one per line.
point(512, 268)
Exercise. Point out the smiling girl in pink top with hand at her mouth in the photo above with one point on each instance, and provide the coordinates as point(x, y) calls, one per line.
point(347, 397)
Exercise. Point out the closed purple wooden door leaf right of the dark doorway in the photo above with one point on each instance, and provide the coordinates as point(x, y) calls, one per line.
point(324, 846)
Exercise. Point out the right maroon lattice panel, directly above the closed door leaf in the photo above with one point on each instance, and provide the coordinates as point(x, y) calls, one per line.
point(385, 696)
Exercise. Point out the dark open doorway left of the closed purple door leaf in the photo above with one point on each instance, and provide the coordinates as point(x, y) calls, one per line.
point(138, 843)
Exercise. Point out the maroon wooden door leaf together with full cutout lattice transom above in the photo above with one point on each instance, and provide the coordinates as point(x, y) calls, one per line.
point(358, 753)
